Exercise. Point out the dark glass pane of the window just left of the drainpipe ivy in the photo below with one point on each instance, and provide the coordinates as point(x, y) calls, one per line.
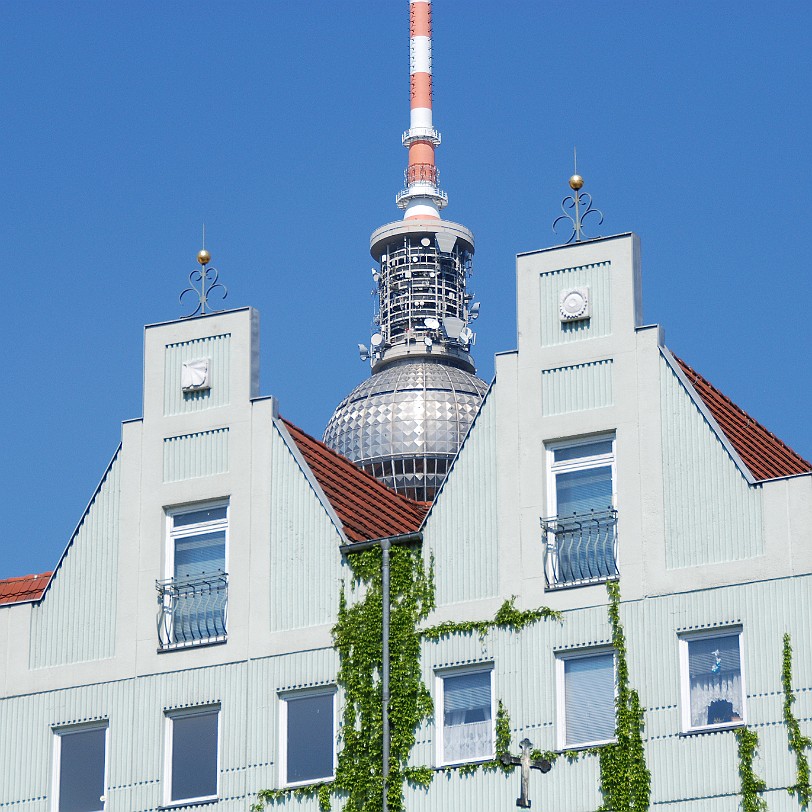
point(310, 738)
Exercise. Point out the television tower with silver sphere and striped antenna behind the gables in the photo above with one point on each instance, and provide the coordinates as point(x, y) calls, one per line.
point(406, 422)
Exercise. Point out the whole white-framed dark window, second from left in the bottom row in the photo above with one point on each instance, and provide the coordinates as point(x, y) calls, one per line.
point(191, 757)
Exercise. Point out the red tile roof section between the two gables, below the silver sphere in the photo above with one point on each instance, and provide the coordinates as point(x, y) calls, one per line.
point(367, 509)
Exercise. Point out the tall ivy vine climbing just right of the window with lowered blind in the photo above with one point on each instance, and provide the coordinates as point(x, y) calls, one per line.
point(625, 780)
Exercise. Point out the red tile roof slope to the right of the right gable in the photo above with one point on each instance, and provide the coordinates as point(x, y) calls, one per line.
point(760, 450)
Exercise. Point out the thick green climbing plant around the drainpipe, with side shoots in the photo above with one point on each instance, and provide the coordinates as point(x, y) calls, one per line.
point(357, 638)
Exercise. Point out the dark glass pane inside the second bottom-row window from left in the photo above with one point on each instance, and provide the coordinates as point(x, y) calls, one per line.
point(194, 756)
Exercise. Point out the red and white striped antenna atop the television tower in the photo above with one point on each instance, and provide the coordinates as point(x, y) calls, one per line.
point(422, 196)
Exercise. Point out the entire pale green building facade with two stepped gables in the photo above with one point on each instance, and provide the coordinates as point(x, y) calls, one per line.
point(702, 548)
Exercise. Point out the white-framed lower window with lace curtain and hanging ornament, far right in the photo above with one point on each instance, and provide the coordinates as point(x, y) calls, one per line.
point(712, 681)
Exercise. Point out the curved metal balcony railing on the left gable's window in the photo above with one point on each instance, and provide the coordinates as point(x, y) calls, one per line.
point(192, 611)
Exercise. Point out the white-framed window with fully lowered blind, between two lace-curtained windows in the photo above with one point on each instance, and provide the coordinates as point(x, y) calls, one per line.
point(586, 698)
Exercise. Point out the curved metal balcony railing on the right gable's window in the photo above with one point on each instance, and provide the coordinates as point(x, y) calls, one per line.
point(581, 549)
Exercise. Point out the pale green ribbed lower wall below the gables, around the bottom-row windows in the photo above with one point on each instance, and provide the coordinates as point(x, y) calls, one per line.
point(697, 772)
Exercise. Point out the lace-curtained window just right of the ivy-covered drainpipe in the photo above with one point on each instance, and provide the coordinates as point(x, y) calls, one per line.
point(465, 705)
